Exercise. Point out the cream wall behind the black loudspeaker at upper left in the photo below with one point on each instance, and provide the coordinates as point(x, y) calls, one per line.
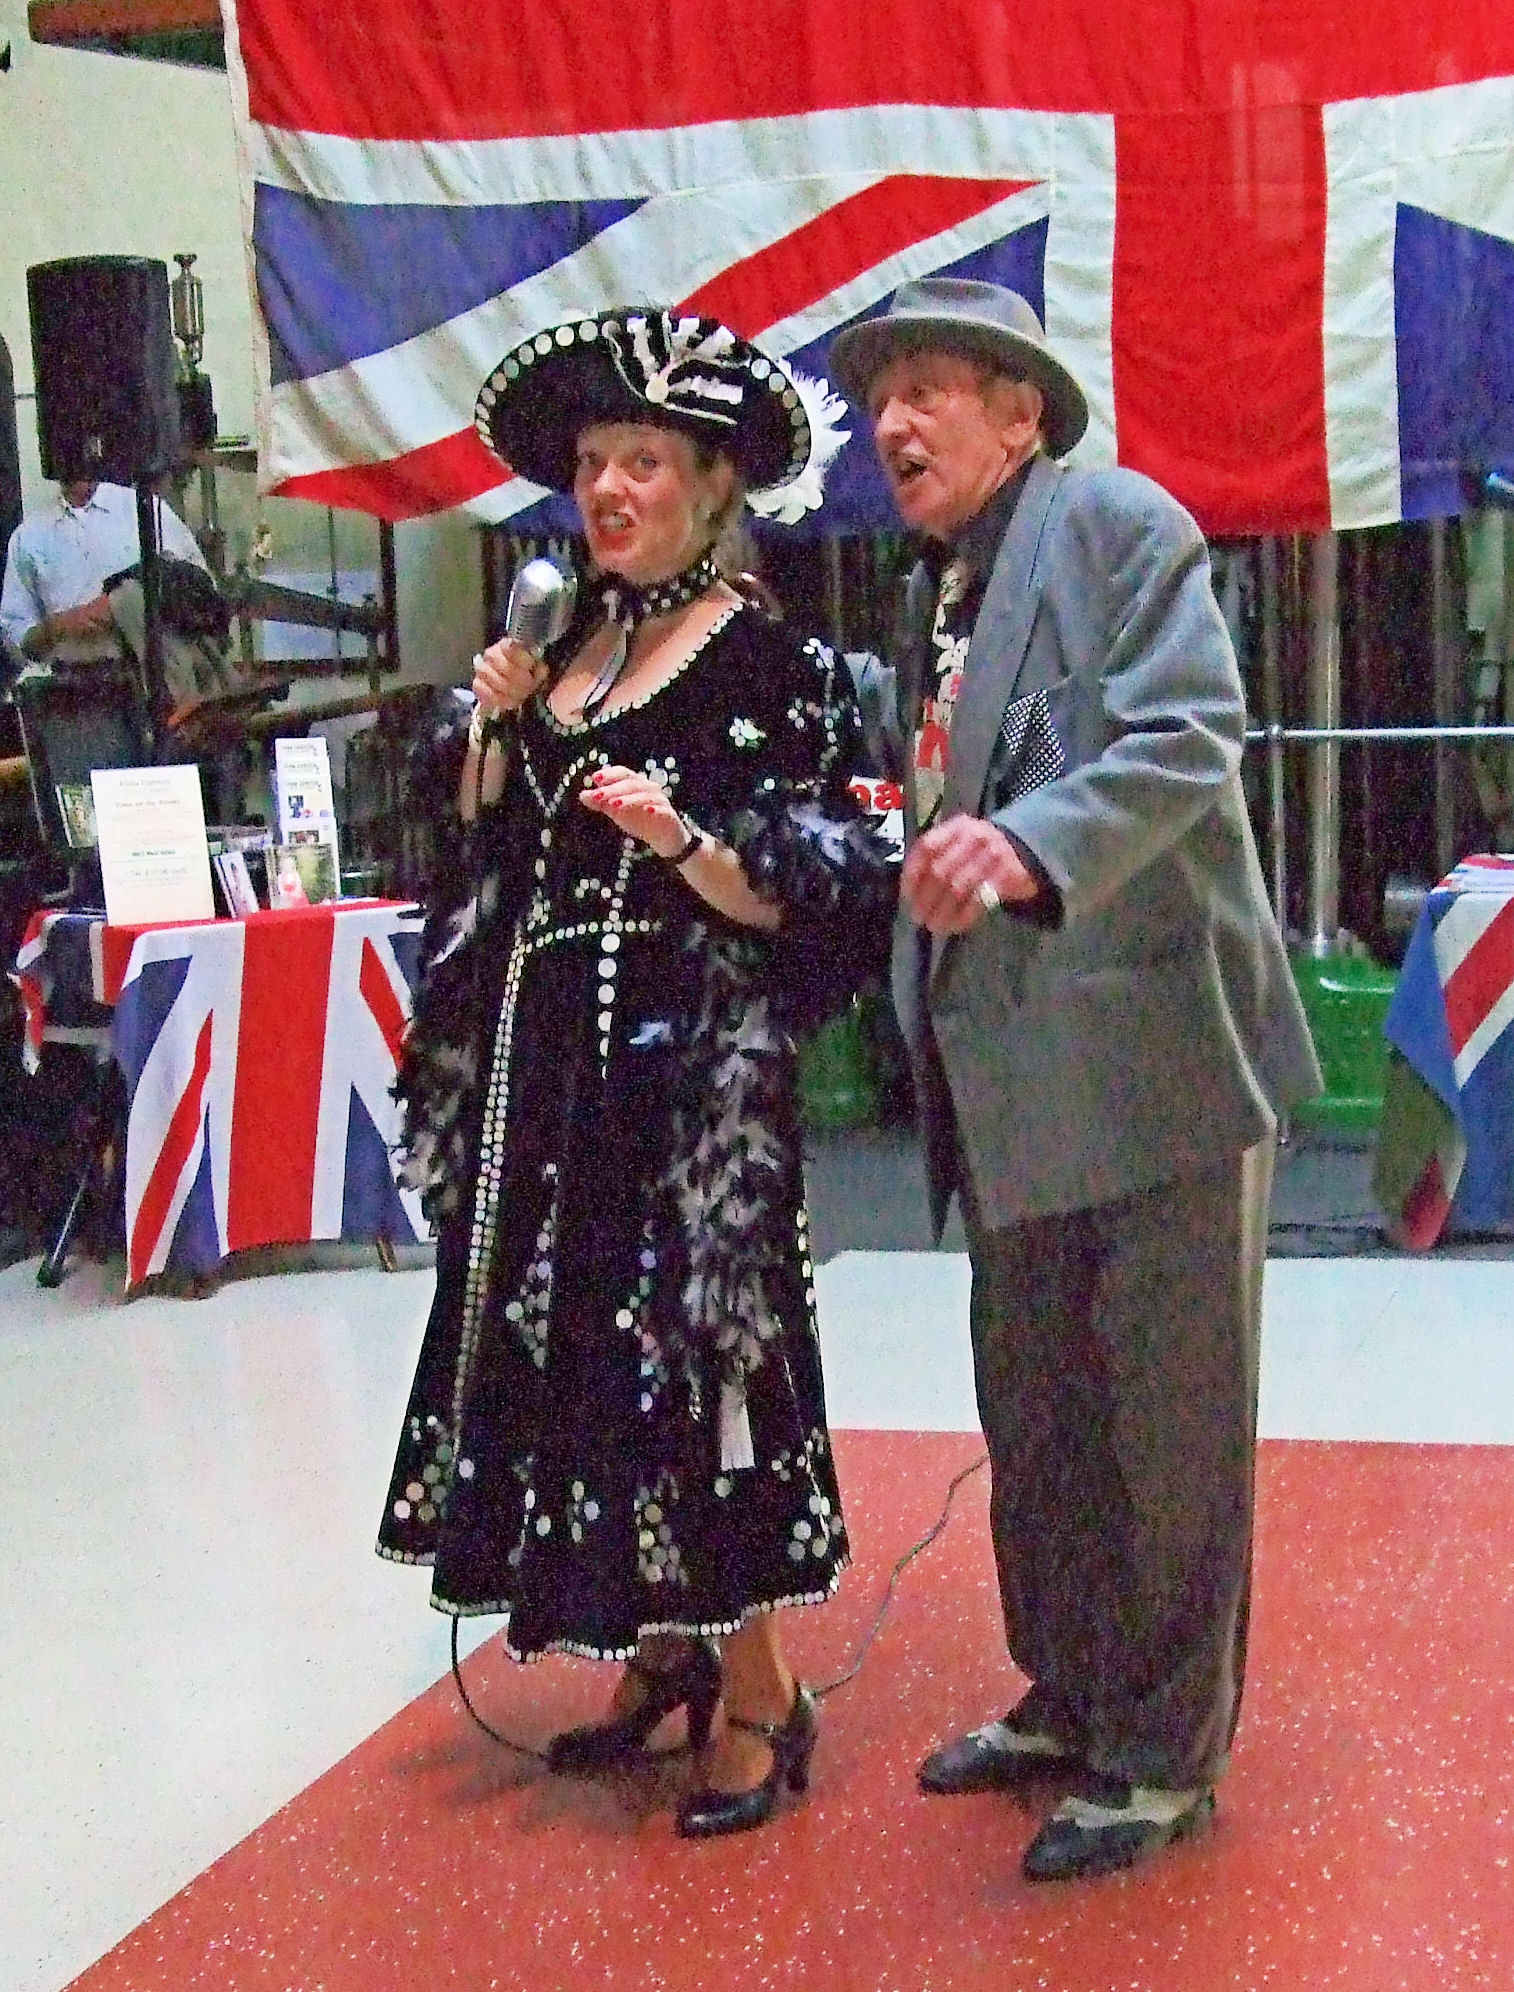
point(111, 156)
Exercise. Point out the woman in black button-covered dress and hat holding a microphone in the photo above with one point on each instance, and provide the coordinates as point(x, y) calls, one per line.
point(617, 1433)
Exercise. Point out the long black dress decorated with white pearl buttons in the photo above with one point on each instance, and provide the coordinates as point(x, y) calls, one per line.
point(619, 1419)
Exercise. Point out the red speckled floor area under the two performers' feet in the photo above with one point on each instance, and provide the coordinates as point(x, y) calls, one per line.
point(1366, 1838)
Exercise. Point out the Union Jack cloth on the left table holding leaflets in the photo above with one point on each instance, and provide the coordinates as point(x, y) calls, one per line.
point(258, 1059)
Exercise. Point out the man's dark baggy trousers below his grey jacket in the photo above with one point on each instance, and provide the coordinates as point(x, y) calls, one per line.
point(1117, 1364)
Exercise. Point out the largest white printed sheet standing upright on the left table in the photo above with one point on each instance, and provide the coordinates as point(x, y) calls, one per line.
point(154, 860)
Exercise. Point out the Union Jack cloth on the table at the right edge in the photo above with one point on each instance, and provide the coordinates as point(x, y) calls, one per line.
point(1445, 1154)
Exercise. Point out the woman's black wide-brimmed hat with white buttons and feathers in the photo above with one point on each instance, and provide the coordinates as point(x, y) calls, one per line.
point(646, 364)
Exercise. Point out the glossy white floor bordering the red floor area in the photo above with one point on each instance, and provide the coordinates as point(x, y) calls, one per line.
point(194, 1624)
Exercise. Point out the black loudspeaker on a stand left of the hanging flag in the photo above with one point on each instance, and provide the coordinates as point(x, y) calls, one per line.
point(107, 377)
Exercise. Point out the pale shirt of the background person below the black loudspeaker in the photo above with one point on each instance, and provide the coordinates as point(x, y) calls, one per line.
point(55, 607)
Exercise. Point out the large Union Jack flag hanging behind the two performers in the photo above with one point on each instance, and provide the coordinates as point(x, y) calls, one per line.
point(1274, 244)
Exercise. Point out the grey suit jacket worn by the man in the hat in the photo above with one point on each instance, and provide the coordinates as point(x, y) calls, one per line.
point(1101, 722)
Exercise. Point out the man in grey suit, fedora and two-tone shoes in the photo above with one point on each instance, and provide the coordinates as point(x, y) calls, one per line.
point(1103, 1029)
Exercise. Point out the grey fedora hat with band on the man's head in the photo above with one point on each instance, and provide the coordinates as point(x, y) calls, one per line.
point(961, 316)
